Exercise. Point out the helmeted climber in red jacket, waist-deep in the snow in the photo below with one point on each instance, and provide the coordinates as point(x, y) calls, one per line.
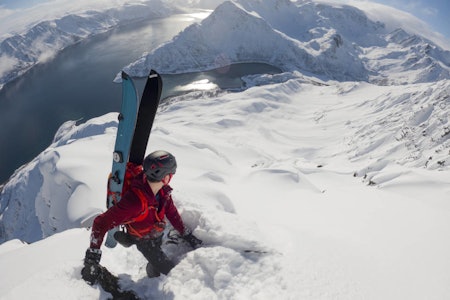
point(142, 210)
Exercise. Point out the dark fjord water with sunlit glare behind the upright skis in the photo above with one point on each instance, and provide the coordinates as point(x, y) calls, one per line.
point(77, 84)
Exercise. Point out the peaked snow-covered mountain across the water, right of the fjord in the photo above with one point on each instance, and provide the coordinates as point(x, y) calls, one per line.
point(332, 42)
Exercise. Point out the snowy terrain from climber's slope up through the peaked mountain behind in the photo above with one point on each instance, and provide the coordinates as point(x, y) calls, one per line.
point(338, 168)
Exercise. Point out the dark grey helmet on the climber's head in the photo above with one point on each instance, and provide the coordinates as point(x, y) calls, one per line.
point(158, 164)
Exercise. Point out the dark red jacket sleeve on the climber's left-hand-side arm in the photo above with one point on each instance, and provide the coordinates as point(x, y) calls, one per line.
point(125, 210)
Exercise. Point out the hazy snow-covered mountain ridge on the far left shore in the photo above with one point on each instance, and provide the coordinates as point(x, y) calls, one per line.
point(21, 51)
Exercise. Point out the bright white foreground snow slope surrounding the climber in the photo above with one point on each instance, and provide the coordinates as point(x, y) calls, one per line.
point(345, 185)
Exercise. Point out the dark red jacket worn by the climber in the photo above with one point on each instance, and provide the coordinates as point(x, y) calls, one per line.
point(130, 207)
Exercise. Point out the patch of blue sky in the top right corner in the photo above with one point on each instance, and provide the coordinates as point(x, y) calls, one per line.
point(434, 12)
